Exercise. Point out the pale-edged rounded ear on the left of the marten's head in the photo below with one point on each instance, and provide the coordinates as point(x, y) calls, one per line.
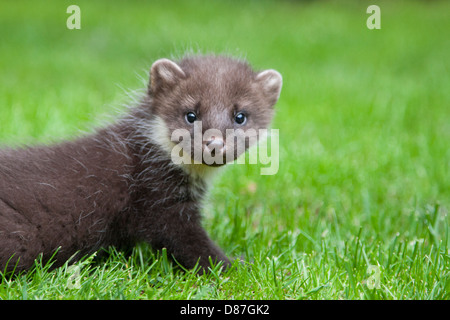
point(164, 74)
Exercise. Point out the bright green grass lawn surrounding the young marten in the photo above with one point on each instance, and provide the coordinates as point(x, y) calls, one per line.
point(364, 121)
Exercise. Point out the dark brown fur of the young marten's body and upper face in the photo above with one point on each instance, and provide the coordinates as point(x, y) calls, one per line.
point(119, 186)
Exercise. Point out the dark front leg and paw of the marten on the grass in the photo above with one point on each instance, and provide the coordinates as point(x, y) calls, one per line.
point(179, 230)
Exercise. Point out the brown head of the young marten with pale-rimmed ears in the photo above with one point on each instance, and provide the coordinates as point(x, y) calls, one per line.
point(211, 107)
